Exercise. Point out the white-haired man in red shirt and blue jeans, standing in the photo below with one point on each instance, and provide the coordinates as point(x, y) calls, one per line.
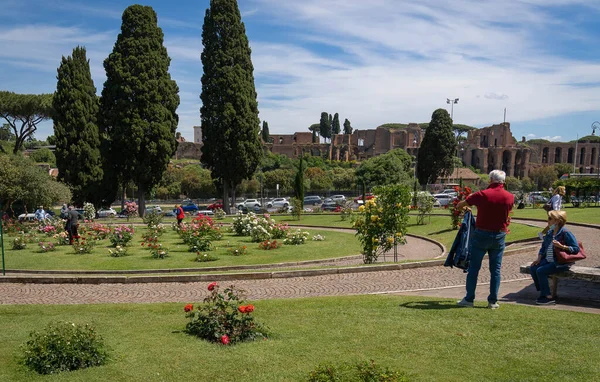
point(494, 205)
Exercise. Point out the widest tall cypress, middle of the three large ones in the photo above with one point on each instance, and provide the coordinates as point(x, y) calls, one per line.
point(139, 102)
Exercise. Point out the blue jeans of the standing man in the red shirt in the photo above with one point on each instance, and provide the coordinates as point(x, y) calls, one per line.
point(493, 244)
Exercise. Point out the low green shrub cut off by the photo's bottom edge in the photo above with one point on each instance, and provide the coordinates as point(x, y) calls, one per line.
point(361, 372)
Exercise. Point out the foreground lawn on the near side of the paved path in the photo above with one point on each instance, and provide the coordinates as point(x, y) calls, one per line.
point(428, 339)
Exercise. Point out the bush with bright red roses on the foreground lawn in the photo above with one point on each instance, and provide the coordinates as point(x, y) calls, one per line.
point(223, 317)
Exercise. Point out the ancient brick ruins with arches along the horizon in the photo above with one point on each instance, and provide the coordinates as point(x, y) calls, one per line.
point(486, 149)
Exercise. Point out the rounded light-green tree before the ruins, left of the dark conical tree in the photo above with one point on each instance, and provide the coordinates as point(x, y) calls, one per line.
point(390, 168)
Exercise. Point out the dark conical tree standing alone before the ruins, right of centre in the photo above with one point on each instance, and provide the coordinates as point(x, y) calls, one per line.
point(437, 151)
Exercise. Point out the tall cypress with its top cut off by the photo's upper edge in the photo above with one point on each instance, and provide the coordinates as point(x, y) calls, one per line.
point(232, 148)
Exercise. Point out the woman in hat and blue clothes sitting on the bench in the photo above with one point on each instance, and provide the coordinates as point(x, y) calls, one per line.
point(557, 237)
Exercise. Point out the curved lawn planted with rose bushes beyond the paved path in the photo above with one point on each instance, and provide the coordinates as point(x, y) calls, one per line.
point(337, 244)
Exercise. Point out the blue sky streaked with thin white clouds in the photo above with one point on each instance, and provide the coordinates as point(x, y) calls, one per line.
point(373, 62)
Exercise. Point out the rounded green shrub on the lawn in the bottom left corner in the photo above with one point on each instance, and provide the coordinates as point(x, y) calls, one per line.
point(64, 346)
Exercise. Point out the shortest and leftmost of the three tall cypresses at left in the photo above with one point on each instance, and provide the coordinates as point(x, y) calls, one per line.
point(75, 107)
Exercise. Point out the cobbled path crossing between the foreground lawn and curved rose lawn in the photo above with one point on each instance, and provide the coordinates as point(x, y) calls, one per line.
point(443, 281)
